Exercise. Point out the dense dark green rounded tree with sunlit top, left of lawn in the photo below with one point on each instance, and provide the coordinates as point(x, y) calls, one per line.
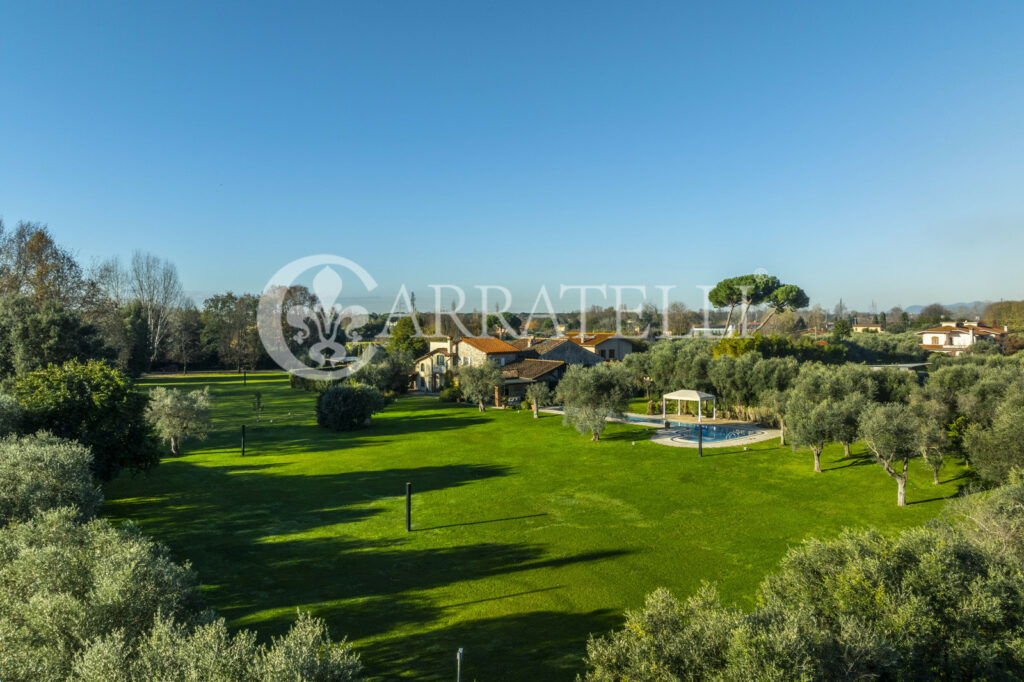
point(96, 405)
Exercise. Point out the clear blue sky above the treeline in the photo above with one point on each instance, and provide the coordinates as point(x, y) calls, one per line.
point(873, 151)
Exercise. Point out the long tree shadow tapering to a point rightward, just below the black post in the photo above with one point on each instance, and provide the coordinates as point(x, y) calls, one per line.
point(370, 589)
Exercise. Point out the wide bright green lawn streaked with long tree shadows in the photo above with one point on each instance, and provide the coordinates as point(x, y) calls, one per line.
point(527, 536)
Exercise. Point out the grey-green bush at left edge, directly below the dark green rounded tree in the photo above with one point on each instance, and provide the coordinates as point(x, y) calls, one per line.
point(40, 473)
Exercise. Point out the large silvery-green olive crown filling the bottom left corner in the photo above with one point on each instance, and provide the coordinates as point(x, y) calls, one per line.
point(64, 584)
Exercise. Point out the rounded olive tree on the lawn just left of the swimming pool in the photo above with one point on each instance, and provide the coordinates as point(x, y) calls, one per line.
point(590, 396)
